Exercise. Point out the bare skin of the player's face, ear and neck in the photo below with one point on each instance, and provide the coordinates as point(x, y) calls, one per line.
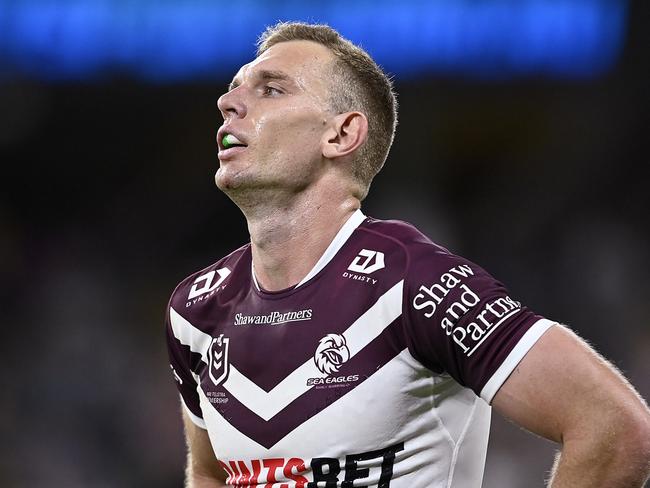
point(292, 179)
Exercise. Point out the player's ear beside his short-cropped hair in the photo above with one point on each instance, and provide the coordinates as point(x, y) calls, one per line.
point(347, 132)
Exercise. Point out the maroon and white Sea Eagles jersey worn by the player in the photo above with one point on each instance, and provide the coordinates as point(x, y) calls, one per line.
point(376, 370)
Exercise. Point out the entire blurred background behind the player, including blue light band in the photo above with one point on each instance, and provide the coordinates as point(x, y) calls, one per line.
point(522, 145)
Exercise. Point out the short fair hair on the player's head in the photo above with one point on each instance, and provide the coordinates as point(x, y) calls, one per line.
point(359, 84)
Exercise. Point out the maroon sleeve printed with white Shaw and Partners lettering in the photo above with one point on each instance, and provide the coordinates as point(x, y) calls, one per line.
point(459, 319)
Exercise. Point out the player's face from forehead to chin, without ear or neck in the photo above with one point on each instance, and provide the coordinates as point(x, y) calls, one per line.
point(278, 108)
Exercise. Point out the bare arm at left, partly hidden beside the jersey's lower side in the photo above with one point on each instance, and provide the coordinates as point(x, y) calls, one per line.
point(203, 469)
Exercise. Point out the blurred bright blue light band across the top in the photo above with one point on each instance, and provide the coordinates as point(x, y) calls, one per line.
point(186, 40)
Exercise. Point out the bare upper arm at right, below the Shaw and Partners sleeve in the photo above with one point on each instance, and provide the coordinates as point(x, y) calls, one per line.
point(562, 389)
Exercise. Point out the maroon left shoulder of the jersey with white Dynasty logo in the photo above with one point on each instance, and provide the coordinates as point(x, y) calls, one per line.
point(210, 279)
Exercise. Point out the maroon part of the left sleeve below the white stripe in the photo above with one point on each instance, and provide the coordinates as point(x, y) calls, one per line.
point(181, 360)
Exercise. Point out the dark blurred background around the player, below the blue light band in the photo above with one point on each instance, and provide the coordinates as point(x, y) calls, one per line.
point(108, 200)
